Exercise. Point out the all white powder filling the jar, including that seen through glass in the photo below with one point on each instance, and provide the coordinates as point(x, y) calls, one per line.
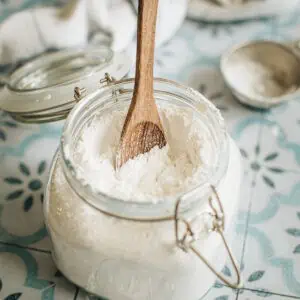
point(121, 259)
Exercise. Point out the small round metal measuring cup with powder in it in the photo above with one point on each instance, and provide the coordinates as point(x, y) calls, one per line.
point(261, 74)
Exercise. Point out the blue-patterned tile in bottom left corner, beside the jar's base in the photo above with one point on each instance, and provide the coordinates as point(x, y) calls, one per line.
point(29, 275)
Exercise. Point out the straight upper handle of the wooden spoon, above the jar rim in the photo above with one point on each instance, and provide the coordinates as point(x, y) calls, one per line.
point(145, 47)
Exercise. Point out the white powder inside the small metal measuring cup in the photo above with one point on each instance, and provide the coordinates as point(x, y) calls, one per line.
point(255, 79)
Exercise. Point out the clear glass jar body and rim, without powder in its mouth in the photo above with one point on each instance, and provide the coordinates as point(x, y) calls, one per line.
point(132, 250)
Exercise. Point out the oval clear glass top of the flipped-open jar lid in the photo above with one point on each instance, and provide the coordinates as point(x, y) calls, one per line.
point(59, 68)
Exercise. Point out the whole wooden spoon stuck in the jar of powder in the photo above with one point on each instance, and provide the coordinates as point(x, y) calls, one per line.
point(142, 129)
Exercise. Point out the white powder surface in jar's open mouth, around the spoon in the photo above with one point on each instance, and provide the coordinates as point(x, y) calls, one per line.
point(180, 166)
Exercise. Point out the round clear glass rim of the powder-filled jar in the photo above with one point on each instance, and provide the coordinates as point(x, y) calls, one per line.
point(85, 191)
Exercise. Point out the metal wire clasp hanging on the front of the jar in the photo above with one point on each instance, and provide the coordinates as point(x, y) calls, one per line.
point(188, 240)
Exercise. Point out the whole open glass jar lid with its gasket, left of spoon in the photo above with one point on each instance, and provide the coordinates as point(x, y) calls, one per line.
point(41, 90)
